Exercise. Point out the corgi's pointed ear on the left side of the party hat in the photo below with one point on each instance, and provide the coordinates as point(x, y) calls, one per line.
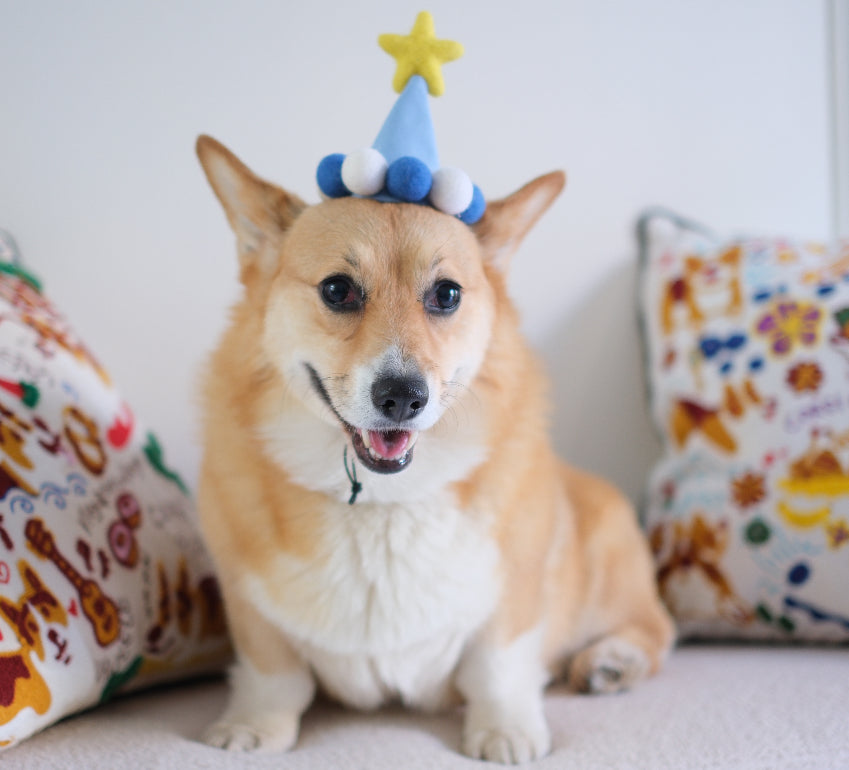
point(258, 212)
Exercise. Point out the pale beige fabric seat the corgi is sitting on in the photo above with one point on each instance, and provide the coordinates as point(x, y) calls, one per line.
point(712, 707)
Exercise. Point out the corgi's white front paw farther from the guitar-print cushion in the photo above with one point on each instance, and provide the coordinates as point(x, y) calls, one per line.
point(508, 741)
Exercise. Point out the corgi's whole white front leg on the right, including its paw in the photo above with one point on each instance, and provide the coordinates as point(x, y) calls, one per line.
point(503, 688)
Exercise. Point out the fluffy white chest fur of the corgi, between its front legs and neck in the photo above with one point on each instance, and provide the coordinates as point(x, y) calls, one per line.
point(385, 608)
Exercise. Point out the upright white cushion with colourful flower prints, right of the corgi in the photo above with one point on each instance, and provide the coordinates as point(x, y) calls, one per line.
point(747, 346)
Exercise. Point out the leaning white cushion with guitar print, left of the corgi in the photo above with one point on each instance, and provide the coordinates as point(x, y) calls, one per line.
point(104, 581)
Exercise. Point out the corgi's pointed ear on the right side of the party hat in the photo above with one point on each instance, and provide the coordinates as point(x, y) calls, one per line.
point(507, 221)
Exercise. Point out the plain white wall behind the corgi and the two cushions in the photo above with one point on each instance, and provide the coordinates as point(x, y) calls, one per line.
point(718, 108)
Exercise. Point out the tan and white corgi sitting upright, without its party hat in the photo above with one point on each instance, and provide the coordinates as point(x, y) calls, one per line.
point(378, 491)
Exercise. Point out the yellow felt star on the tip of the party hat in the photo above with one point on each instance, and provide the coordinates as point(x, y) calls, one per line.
point(420, 53)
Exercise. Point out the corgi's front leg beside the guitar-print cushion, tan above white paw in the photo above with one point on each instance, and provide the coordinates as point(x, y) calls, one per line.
point(270, 687)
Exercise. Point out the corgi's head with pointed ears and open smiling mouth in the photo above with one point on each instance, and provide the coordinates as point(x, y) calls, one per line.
point(377, 315)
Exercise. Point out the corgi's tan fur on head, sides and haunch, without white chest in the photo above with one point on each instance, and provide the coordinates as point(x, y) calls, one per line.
point(570, 557)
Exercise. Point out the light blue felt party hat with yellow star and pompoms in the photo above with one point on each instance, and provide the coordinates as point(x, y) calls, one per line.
point(402, 166)
